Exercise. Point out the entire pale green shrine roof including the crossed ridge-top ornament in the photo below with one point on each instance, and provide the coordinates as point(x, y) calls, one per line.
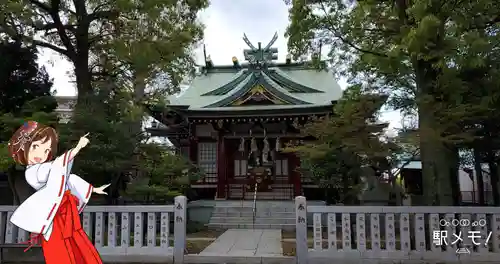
point(260, 84)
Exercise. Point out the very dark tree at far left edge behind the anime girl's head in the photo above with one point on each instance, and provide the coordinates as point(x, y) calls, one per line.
point(24, 95)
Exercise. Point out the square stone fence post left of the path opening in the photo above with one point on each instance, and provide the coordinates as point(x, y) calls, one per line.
point(180, 208)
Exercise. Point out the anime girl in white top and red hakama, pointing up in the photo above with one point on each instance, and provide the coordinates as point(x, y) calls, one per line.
point(51, 214)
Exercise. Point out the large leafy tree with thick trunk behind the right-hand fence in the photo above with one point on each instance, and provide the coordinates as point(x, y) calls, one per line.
point(411, 50)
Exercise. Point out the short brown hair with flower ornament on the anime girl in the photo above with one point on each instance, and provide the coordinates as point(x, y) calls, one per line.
point(21, 141)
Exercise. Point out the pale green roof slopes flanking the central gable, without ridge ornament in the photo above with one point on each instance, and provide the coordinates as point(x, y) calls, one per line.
point(214, 88)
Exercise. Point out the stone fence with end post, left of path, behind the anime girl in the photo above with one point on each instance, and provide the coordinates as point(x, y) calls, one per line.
point(124, 232)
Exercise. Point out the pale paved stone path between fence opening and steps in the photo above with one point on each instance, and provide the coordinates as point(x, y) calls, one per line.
point(246, 243)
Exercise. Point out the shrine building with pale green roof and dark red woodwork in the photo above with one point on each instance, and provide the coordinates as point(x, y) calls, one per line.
point(234, 121)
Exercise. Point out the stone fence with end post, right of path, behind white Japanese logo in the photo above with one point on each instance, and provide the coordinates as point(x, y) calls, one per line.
point(398, 233)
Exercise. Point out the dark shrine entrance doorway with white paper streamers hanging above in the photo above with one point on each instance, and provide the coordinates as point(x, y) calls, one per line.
point(258, 168)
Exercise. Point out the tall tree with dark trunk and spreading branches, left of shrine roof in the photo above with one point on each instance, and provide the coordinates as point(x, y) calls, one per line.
point(151, 35)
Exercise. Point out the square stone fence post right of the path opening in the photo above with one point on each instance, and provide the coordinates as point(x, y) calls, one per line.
point(301, 250)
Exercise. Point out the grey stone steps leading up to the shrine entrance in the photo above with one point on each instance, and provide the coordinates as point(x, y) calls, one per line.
point(239, 214)
